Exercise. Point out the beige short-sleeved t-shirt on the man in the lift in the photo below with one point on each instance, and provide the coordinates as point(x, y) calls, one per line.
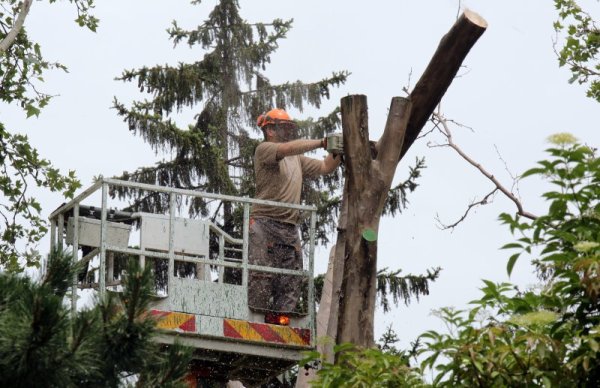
point(280, 181)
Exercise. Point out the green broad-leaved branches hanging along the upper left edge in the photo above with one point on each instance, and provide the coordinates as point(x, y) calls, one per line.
point(22, 67)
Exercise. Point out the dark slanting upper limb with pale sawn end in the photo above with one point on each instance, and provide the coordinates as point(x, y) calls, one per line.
point(440, 72)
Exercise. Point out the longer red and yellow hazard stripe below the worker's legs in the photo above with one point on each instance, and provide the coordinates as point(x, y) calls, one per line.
point(264, 332)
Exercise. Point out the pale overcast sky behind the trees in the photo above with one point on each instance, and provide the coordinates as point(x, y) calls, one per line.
point(511, 93)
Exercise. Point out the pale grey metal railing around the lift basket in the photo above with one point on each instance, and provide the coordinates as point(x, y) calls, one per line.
point(57, 219)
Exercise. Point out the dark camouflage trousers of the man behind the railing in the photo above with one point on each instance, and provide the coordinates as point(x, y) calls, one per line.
point(274, 244)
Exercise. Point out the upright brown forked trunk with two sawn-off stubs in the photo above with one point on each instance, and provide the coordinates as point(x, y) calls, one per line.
point(367, 184)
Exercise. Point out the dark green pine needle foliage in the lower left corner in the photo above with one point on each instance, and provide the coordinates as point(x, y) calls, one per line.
point(109, 345)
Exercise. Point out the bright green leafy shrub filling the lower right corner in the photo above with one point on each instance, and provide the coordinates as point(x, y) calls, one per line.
point(549, 335)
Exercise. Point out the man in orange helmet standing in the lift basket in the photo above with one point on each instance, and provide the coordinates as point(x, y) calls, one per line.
point(279, 167)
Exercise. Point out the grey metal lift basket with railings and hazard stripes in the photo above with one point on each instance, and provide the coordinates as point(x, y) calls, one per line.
point(204, 311)
